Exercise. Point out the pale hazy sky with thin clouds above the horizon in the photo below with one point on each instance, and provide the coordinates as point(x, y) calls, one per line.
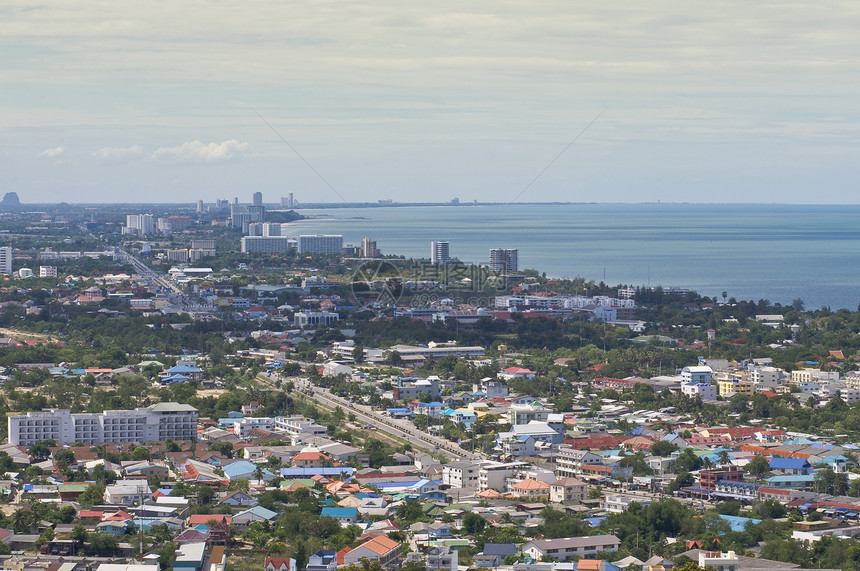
point(731, 101)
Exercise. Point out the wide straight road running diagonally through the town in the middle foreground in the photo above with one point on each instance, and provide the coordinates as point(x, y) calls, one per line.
point(395, 427)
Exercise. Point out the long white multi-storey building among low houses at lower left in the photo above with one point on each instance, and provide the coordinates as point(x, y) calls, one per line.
point(151, 424)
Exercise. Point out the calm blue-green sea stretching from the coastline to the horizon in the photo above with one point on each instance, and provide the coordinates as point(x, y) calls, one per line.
point(750, 251)
